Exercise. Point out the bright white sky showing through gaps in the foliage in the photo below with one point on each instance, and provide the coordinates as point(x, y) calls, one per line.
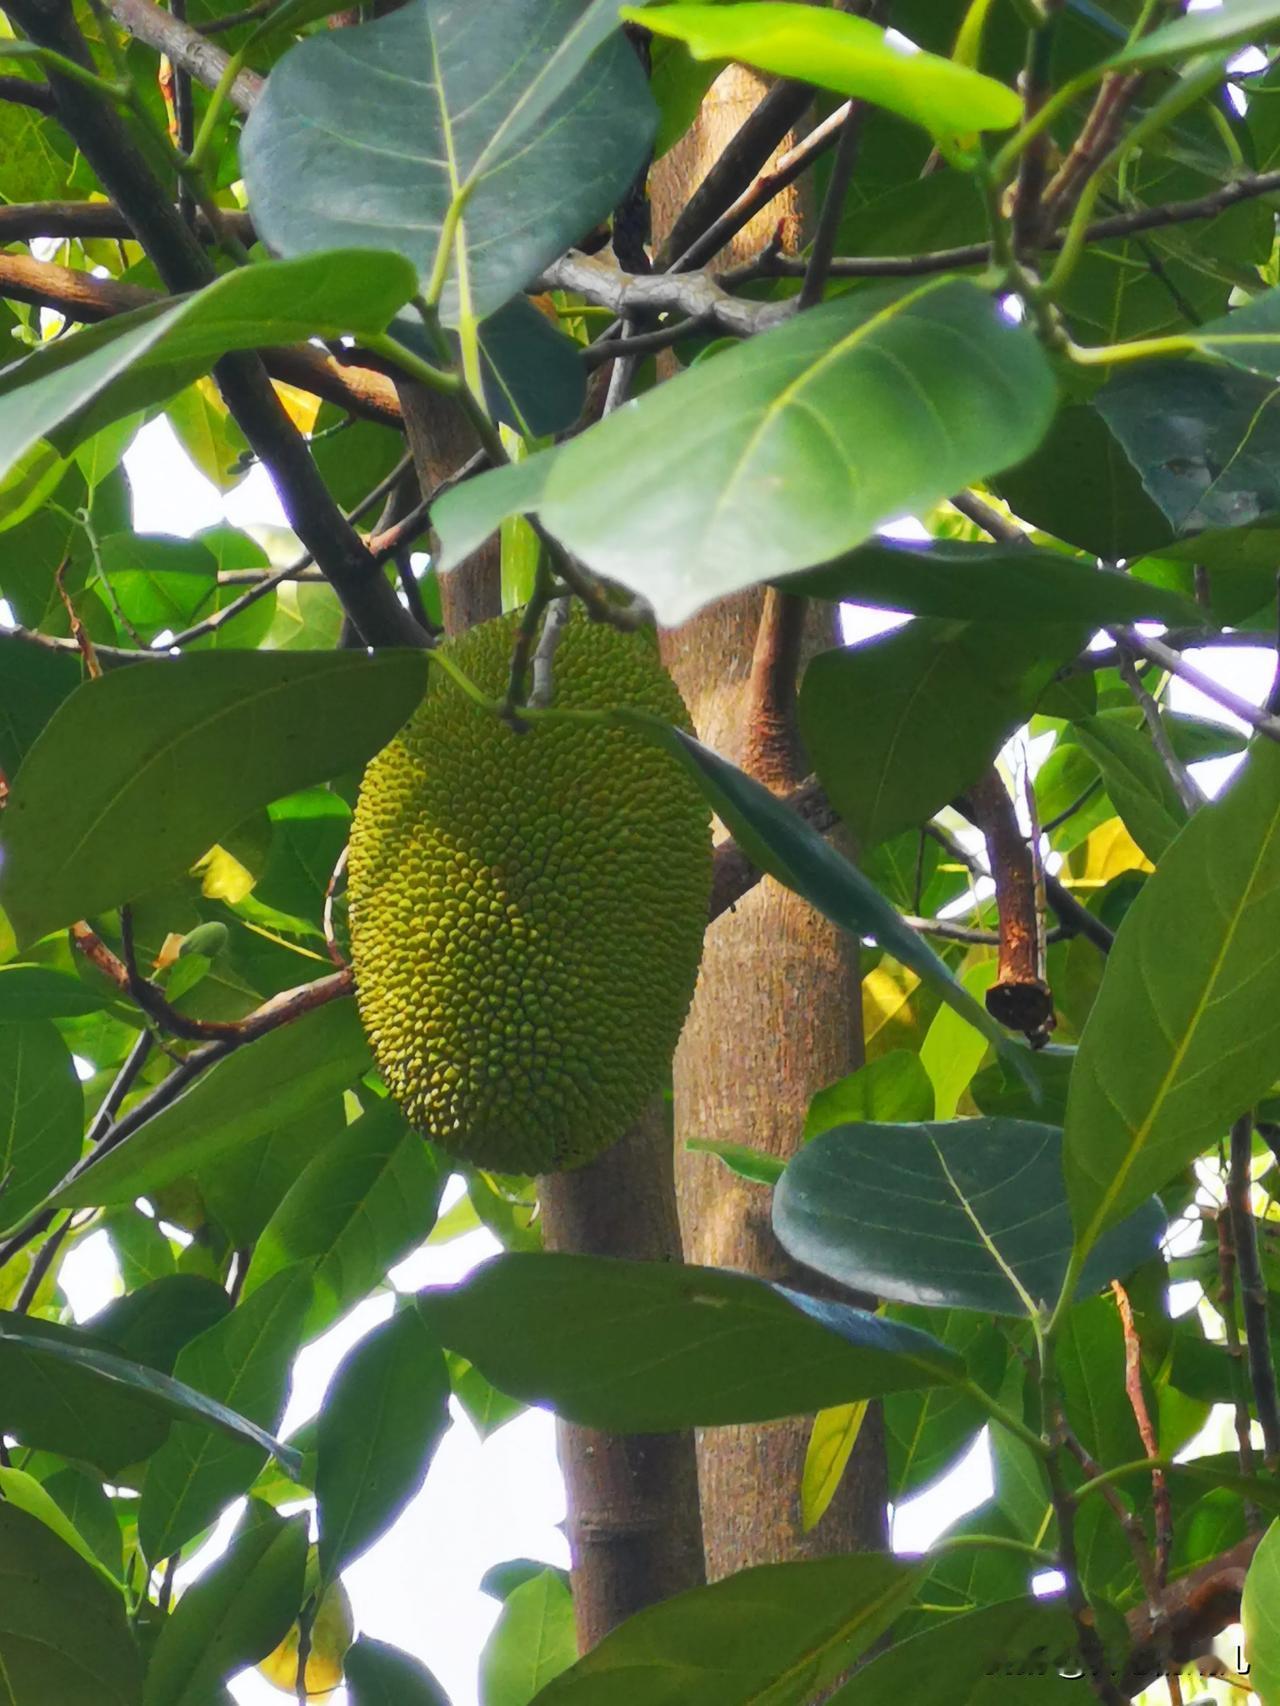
point(503, 1499)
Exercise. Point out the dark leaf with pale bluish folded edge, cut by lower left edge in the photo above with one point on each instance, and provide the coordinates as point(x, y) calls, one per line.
point(69, 1395)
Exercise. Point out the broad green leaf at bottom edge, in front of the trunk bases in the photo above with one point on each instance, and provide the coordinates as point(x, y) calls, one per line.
point(776, 1633)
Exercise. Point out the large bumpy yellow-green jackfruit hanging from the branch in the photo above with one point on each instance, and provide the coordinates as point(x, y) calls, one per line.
point(528, 908)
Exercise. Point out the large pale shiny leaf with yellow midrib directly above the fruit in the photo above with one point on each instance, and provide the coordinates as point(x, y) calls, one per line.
point(788, 450)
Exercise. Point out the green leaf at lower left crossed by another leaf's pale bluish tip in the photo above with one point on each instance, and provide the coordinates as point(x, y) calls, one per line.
point(243, 1362)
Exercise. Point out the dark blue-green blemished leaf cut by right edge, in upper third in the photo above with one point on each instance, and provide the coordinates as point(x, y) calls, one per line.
point(1204, 439)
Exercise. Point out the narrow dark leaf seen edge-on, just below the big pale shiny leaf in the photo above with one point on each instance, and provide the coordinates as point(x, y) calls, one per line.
point(992, 584)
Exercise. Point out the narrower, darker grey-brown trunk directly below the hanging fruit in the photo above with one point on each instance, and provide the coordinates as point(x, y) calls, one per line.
point(634, 1524)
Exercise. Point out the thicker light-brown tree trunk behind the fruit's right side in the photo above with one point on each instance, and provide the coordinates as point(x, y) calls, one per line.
point(777, 1014)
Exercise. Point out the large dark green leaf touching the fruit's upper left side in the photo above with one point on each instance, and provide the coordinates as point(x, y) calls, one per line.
point(143, 770)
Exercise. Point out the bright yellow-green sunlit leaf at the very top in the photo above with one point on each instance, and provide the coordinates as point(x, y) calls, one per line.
point(846, 54)
